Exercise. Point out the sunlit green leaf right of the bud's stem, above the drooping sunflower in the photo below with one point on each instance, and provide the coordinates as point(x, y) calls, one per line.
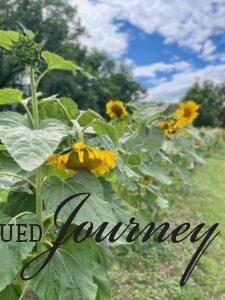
point(52, 109)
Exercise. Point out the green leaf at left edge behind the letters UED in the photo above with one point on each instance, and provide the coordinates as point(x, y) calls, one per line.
point(13, 253)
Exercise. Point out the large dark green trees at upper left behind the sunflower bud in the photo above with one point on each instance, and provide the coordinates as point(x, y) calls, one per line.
point(58, 27)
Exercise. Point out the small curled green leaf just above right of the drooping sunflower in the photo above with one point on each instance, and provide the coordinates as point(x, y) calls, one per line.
point(103, 128)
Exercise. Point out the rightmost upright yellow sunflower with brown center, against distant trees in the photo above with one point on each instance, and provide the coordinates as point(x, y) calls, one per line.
point(187, 113)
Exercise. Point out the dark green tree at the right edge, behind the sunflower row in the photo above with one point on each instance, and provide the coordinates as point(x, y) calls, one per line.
point(211, 98)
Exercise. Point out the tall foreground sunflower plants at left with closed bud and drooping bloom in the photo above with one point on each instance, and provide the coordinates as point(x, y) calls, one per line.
point(49, 152)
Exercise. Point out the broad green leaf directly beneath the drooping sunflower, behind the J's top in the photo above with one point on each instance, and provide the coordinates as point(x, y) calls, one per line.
point(95, 210)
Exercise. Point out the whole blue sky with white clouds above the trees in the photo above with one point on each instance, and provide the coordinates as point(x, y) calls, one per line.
point(167, 44)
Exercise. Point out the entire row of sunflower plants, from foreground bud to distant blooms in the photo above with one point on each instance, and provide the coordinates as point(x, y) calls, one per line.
point(129, 162)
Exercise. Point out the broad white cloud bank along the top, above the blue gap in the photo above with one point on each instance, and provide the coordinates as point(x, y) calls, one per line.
point(190, 23)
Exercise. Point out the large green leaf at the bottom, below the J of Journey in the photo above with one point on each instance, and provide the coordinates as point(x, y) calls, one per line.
point(69, 275)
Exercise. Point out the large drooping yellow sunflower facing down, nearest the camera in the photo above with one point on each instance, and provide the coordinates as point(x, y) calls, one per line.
point(83, 157)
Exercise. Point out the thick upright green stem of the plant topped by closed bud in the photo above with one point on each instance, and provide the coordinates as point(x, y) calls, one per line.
point(38, 170)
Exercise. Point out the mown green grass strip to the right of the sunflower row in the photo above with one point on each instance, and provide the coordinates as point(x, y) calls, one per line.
point(156, 274)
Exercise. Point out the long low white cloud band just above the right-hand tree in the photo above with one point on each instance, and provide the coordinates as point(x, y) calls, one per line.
point(172, 90)
